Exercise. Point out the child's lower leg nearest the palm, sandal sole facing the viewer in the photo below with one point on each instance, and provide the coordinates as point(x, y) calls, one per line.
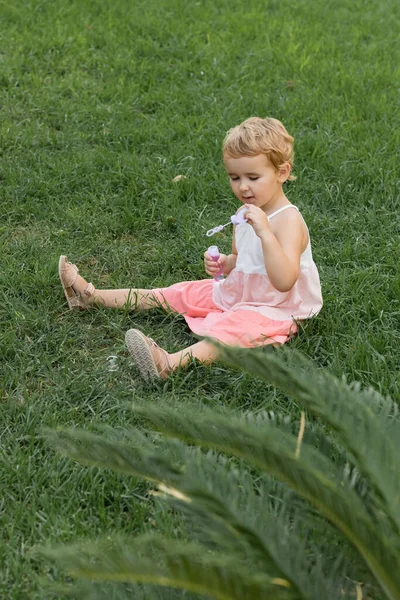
point(154, 362)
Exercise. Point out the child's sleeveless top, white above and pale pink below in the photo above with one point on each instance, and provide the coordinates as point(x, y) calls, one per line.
point(248, 287)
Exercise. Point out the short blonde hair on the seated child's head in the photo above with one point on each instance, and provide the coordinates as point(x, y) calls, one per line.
point(261, 136)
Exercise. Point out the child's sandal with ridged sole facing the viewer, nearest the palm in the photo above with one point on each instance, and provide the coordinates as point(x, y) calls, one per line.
point(153, 362)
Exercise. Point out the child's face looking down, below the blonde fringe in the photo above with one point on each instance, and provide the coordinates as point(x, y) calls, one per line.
point(254, 180)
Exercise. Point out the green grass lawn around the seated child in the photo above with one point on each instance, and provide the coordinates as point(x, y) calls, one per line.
point(103, 103)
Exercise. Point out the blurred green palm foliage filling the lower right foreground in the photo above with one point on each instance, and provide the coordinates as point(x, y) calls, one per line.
point(273, 510)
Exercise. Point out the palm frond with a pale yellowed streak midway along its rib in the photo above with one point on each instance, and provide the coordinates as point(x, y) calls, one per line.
point(89, 448)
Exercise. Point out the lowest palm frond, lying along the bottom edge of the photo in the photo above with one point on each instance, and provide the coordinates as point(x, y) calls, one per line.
point(152, 559)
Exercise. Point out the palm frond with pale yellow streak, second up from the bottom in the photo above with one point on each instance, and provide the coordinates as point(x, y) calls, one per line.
point(191, 483)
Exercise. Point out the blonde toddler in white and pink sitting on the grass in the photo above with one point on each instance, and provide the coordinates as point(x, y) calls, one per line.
point(271, 279)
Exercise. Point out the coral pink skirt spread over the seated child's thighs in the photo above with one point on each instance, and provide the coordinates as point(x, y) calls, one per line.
point(246, 328)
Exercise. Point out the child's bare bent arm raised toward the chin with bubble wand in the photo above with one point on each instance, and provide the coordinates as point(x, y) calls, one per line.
point(283, 248)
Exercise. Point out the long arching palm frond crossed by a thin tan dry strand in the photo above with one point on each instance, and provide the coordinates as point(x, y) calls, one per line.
point(274, 452)
